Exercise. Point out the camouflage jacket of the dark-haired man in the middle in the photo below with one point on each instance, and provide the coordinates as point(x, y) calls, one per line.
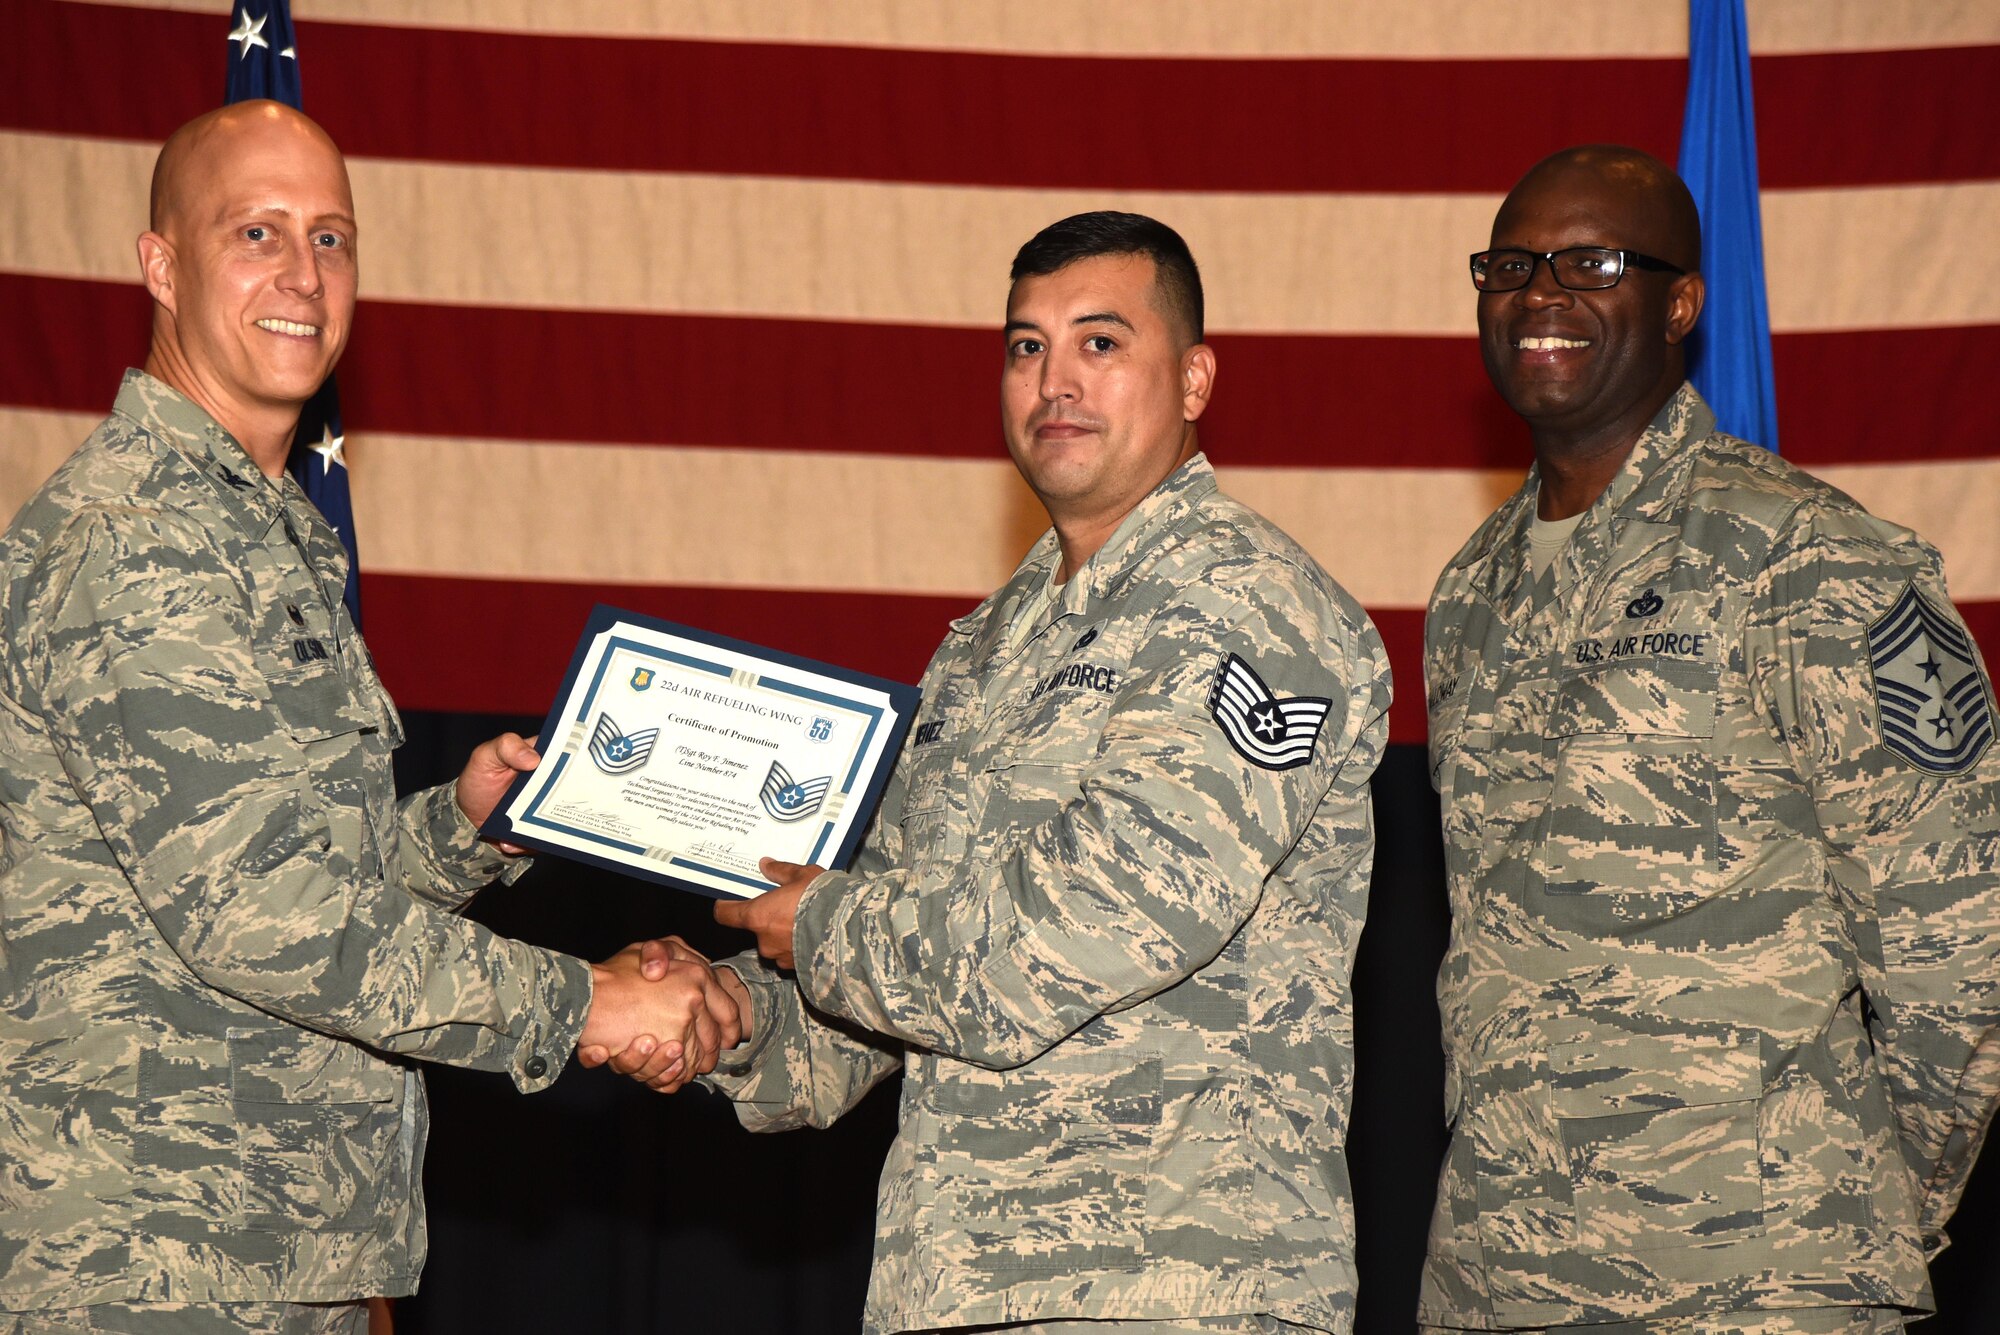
point(1107, 922)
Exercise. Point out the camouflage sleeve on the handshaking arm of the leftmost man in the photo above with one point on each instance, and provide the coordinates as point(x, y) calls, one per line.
point(163, 720)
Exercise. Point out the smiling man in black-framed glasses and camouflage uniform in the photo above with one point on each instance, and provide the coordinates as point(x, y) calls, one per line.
point(1723, 836)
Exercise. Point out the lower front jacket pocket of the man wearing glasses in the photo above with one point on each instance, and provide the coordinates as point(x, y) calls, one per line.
point(1661, 1138)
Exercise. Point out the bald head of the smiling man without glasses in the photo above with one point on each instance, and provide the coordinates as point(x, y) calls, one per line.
point(253, 267)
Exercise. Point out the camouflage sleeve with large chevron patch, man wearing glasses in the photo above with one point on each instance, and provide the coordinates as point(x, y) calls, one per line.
point(1913, 850)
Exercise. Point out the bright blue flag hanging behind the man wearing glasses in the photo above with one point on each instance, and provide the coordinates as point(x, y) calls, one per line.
point(1729, 355)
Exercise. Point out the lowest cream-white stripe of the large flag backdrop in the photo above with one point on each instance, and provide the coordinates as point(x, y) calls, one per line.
point(509, 511)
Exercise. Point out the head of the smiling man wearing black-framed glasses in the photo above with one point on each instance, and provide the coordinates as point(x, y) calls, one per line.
point(1591, 369)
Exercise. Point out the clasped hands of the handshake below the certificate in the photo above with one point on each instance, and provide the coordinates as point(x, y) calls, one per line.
point(665, 1020)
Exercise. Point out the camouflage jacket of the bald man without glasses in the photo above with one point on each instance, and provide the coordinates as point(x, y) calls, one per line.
point(217, 918)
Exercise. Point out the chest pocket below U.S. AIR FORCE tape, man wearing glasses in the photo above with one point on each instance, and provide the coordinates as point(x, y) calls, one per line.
point(1631, 818)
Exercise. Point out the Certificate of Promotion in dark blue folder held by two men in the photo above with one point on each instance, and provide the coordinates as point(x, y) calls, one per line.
point(683, 758)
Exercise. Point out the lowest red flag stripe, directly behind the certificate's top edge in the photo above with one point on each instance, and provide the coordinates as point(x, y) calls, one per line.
point(479, 647)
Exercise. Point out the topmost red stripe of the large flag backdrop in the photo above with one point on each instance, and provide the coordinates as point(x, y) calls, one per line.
point(981, 119)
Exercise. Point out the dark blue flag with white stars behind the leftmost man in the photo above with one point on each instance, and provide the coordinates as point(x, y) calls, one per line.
point(265, 65)
